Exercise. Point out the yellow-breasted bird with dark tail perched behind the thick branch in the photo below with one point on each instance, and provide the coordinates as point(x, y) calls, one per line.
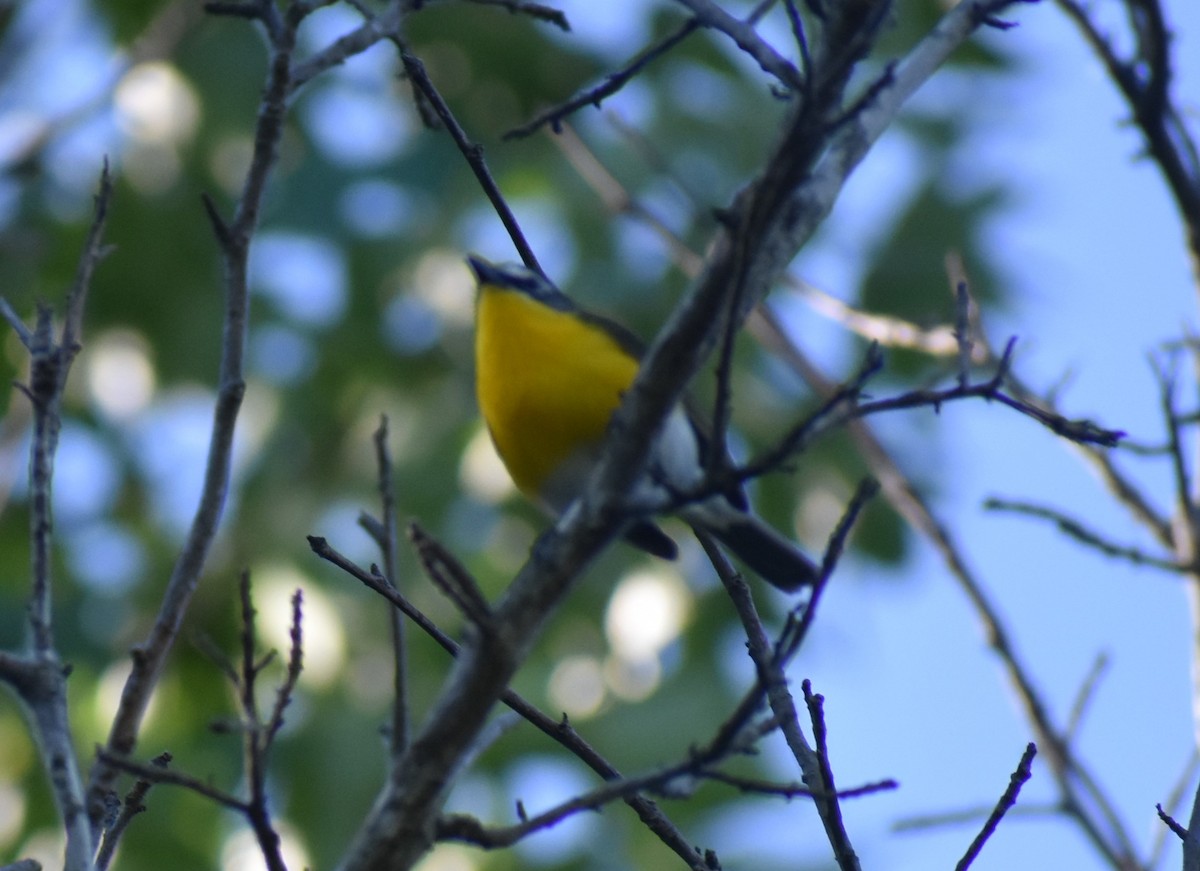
point(549, 377)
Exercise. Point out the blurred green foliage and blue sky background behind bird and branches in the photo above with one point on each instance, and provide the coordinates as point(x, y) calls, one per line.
point(1018, 155)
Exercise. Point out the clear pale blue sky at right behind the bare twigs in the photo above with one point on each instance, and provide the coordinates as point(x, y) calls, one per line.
point(1100, 279)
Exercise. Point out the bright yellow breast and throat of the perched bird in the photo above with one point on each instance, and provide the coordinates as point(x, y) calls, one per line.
point(548, 385)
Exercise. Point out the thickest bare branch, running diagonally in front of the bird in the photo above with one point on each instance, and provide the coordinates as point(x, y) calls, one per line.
point(770, 220)
